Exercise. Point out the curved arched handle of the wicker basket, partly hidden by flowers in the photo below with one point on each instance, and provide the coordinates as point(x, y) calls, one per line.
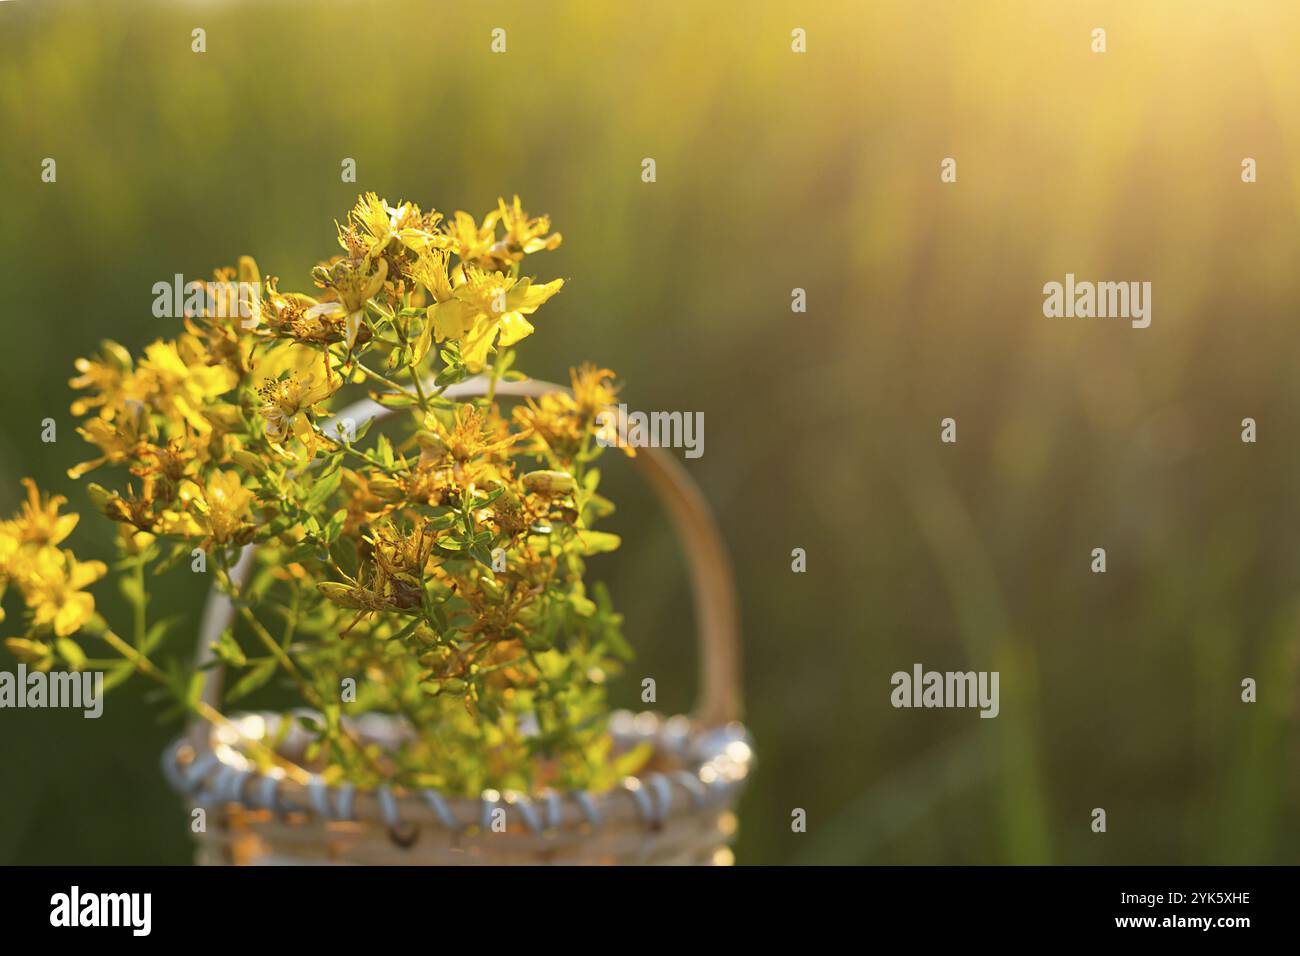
point(717, 620)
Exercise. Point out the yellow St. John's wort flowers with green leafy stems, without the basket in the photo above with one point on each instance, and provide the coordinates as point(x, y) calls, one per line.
point(432, 568)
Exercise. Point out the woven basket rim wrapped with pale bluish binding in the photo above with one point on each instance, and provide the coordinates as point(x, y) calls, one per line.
point(716, 764)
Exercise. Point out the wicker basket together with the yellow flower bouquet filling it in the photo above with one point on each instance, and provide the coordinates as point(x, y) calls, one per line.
point(410, 566)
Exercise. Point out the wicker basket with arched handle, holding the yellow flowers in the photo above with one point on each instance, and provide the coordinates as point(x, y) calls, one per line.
point(677, 812)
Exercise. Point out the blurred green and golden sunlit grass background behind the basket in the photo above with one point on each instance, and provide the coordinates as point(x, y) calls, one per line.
point(775, 171)
